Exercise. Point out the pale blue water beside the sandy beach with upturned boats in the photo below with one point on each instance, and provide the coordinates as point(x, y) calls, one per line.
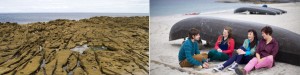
point(175, 7)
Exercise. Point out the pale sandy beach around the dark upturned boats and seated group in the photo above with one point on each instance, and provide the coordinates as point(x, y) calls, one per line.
point(165, 52)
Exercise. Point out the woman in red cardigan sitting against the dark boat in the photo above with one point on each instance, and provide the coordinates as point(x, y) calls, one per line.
point(223, 47)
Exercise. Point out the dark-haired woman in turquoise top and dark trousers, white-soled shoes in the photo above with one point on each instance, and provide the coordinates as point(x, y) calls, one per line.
point(244, 53)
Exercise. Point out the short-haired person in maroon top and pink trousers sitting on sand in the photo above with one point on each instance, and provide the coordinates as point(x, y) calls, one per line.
point(266, 51)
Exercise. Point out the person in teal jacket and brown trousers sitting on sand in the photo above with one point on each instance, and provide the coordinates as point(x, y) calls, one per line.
point(189, 54)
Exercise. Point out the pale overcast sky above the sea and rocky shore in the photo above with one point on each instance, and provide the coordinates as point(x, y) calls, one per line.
point(98, 6)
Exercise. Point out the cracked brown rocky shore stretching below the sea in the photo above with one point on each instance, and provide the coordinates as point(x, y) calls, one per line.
point(116, 45)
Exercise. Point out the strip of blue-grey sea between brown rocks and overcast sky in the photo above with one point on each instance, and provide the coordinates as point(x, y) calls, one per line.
point(24, 18)
